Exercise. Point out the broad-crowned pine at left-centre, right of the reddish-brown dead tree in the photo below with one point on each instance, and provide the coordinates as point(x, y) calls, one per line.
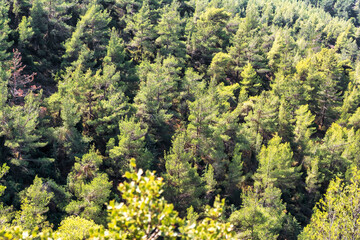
point(98, 98)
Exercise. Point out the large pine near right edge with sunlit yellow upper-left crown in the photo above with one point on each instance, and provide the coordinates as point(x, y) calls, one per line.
point(325, 80)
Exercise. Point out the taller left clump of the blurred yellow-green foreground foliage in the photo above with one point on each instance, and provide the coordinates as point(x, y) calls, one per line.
point(143, 213)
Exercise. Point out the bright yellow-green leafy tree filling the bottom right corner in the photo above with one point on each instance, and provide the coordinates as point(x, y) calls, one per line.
point(336, 215)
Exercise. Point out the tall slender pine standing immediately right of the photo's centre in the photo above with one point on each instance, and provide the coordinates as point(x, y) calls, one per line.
point(204, 130)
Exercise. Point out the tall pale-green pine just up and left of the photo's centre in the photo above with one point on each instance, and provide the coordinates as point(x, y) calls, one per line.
point(157, 96)
